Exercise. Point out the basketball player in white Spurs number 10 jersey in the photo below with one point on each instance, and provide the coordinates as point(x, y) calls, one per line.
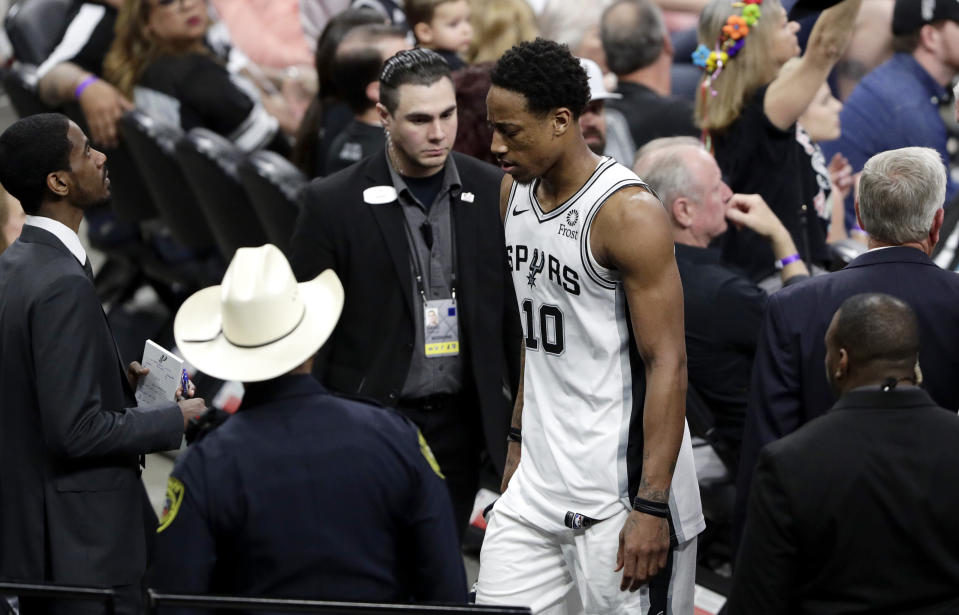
point(603, 501)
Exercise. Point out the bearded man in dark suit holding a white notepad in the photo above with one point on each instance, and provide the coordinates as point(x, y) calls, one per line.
point(72, 507)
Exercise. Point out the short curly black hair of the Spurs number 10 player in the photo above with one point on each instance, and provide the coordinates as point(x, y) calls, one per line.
point(546, 74)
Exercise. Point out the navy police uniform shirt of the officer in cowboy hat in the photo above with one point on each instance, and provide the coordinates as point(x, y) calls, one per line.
point(303, 494)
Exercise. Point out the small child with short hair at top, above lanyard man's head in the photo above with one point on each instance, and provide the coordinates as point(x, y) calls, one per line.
point(443, 26)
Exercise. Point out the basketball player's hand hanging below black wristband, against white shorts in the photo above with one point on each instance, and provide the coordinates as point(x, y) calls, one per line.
point(643, 547)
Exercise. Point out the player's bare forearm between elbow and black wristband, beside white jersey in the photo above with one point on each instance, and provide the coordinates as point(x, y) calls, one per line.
point(663, 423)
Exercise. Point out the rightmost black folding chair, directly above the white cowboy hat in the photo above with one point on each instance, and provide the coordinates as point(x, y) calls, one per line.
point(273, 184)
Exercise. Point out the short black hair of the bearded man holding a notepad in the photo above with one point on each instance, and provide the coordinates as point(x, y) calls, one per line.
point(31, 149)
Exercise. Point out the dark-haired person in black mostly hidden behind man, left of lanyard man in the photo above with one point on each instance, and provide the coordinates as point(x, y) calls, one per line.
point(327, 113)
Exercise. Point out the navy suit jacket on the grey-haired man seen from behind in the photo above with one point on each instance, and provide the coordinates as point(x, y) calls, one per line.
point(789, 386)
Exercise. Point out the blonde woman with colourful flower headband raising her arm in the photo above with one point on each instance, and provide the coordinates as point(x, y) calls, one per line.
point(748, 109)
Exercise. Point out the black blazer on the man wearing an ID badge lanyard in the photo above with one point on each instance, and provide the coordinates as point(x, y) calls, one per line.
point(369, 352)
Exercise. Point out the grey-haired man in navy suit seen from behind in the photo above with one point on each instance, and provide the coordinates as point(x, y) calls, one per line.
point(900, 198)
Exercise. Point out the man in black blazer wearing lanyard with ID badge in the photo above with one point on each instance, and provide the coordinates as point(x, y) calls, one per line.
point(414, 233)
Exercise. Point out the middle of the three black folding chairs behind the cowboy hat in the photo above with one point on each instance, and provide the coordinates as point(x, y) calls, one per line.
point(209, 162)
